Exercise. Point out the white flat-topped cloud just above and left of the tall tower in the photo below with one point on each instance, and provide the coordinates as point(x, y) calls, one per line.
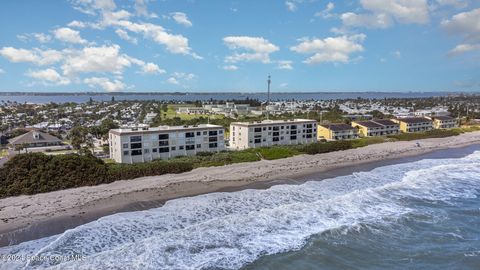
point(257, 49)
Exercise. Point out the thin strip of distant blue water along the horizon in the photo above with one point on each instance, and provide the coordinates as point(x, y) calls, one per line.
point(80, 98)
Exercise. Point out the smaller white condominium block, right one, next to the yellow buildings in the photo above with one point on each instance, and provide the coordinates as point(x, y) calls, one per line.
point(272, 132)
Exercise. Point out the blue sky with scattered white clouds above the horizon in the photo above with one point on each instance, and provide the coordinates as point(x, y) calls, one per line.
point(223, 46)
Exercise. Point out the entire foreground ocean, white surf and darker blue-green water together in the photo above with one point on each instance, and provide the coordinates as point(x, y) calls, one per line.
point(418, 215)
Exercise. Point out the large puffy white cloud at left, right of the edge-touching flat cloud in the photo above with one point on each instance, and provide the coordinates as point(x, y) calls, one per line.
point(96, 59)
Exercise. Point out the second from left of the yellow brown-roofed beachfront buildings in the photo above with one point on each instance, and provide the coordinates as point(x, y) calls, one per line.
point(379, 127)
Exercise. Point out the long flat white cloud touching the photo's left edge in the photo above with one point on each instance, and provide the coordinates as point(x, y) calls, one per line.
point(36, 56)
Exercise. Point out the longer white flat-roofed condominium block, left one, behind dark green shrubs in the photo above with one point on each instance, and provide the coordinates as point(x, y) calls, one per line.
point(134, 145)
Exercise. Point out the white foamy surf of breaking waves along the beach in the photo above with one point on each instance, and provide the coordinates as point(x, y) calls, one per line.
point(228, 230)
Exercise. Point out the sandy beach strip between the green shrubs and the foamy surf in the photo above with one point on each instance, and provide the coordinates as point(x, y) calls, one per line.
point(24, 218)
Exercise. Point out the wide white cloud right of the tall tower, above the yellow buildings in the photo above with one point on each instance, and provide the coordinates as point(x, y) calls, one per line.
point(331, 49)
